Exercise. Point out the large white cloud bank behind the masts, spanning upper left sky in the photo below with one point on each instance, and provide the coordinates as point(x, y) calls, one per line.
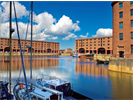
point(46, 26)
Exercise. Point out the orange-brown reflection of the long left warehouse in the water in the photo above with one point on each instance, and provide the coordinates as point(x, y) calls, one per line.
point(37, 62)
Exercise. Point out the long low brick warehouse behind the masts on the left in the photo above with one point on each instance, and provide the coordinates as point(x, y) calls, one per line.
point(37, 46)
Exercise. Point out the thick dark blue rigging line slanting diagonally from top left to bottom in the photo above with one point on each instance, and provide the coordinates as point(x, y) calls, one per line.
point(21, 53)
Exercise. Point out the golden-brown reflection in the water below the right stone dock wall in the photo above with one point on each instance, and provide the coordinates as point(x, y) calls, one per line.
point(122, 84)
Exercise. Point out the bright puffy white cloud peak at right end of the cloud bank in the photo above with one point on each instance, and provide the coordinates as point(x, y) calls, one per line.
point(62, 27)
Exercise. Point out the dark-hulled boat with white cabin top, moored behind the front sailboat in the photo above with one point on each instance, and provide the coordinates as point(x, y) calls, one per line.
point(59, 85)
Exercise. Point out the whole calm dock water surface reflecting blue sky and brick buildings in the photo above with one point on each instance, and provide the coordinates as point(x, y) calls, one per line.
point(87, 78)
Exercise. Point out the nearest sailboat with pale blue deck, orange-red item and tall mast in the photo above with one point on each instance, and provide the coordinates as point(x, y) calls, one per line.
point(28, 90)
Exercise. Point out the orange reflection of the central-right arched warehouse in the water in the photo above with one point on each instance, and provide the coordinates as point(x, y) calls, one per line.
point(91, 69)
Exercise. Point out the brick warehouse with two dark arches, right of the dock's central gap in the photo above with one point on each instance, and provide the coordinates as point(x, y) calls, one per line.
point(97, 45)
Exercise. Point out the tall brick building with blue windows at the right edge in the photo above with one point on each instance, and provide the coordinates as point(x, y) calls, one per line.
point(122, 29)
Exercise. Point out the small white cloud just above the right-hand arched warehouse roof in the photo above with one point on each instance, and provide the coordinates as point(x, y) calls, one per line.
point(103, 32)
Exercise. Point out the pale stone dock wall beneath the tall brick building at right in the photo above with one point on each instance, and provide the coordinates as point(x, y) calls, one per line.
point(121, 65)
